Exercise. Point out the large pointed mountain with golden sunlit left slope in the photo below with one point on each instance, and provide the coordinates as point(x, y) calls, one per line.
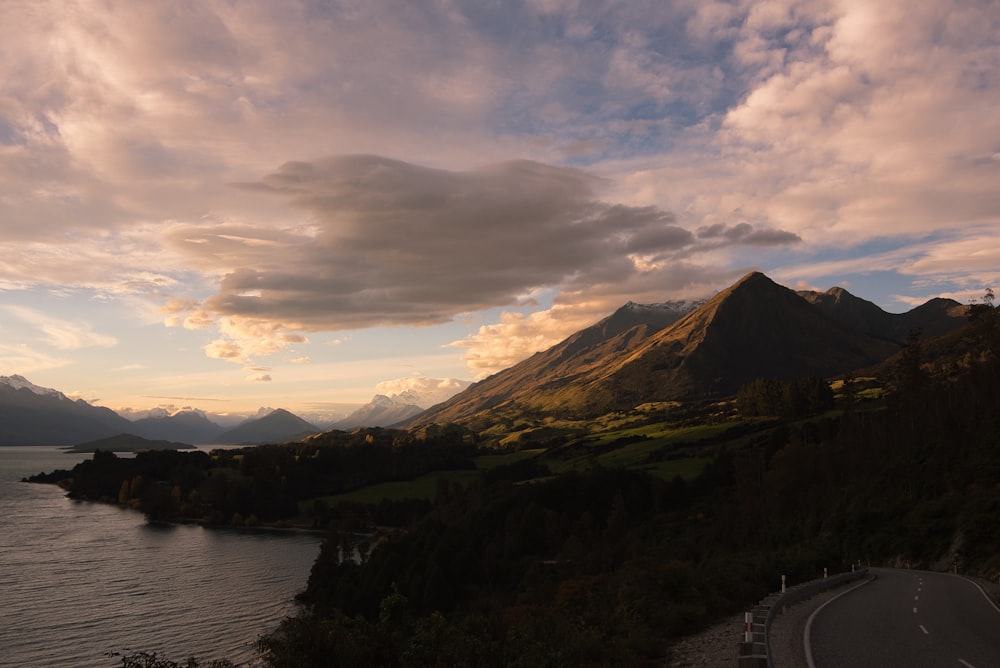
point(755, 328)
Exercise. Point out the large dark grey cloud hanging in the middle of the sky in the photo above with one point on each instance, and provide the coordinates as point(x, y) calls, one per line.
point(393, 243)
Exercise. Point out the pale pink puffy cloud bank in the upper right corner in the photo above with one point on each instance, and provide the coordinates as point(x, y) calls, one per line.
point(865, 128)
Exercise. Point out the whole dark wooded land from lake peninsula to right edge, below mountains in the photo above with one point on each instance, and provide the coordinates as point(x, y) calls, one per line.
point(598, 549)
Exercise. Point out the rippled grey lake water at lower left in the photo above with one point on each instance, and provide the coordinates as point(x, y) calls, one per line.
point(79, 579)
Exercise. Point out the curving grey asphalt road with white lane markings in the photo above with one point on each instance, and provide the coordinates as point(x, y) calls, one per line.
point(909, 619)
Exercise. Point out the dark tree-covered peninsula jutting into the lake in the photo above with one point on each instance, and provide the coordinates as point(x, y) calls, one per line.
point(262, 483)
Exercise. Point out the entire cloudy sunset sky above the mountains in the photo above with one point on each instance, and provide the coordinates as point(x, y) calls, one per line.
point(232, 205)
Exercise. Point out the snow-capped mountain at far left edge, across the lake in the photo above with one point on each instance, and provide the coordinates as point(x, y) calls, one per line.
point(33, 415)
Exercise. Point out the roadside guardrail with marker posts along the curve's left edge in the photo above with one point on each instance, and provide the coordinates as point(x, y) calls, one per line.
point(755, 650)
